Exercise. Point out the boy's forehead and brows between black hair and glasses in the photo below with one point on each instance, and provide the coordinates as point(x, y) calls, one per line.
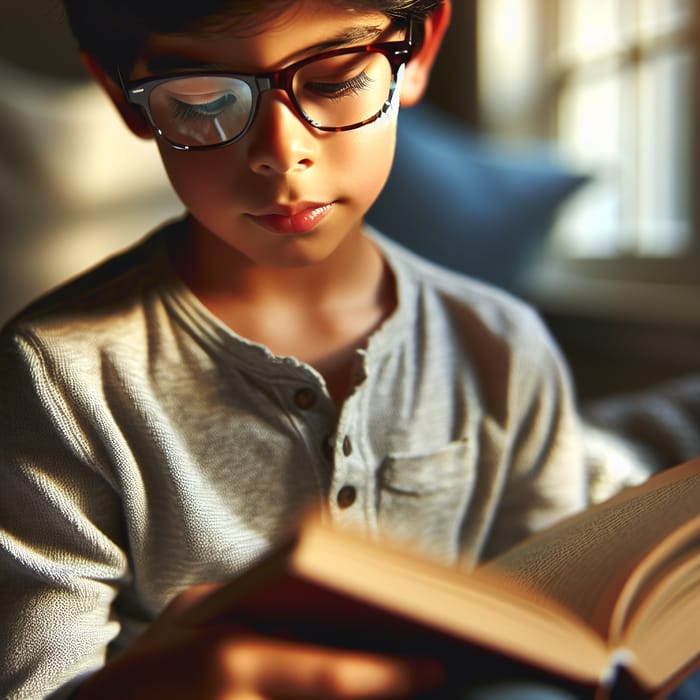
point(264, 41)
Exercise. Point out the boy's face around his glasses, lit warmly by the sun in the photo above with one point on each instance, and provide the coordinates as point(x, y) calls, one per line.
point(286, 193)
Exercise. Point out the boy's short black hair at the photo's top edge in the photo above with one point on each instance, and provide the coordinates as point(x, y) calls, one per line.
point(114, 31)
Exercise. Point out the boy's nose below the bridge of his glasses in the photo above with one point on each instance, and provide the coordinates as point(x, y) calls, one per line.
point(280, 142)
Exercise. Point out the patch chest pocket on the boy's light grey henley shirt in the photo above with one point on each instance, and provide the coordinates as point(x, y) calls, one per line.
point(423, 498)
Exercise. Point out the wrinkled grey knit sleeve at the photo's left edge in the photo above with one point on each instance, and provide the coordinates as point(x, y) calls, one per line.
point(60, 557)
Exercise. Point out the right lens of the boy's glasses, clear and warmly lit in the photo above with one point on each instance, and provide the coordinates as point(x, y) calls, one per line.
point(344, 90)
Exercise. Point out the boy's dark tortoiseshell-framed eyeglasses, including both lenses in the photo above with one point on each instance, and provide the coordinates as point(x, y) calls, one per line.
point(336, 90)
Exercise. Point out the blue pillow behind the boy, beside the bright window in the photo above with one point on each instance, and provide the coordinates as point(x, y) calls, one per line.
point(463, 203)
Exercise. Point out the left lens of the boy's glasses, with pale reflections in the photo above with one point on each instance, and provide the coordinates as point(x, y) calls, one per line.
point(201, 110)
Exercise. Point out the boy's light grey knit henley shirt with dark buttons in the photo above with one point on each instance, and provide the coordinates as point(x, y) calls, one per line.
point(145, 447)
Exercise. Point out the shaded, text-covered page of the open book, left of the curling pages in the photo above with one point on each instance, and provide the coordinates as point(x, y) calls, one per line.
point(583, 562)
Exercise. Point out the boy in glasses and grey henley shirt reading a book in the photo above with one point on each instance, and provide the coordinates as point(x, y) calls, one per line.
point(169, 416)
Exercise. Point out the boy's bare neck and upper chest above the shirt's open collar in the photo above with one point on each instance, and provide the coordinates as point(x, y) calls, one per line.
point(320, 313)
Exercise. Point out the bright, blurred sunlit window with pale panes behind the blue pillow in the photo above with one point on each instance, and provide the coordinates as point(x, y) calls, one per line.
point(613, 84)
